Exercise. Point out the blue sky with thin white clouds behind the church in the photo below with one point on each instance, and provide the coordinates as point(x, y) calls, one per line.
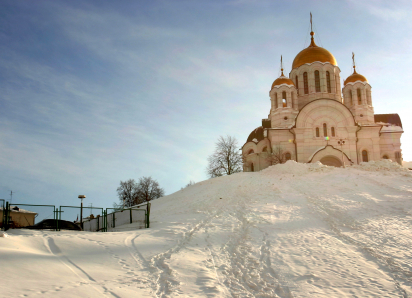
point(94, 92)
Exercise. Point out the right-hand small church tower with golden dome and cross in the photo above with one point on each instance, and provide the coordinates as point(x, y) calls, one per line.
point(357, 96)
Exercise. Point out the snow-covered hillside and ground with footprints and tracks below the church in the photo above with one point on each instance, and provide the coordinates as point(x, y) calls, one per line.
point(292, 230)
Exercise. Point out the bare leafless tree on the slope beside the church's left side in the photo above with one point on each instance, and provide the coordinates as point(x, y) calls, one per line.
point(226, 159)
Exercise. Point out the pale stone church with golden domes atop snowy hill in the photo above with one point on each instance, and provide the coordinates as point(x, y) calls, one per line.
point(312, 118)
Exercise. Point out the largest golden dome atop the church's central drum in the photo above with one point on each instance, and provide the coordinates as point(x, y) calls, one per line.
point(313, 53)
